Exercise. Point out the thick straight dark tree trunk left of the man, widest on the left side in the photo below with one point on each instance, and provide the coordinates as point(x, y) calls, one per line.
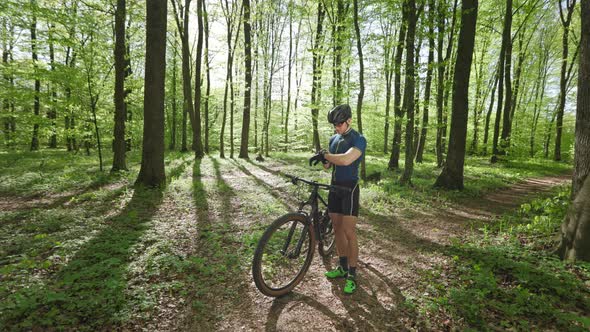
point(152, 172)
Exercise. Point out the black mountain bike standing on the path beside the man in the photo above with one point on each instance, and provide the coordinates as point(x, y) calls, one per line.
point(285, 250)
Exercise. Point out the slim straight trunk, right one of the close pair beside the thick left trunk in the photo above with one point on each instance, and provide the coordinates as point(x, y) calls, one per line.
point(197, 142)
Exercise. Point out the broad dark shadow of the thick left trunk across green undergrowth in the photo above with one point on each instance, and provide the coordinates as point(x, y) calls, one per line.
point(90, 290)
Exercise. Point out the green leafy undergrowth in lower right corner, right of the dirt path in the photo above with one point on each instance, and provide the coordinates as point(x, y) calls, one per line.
point(508, 278)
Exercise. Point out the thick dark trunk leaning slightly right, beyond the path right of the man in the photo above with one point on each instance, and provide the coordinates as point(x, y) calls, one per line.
point(451, 176)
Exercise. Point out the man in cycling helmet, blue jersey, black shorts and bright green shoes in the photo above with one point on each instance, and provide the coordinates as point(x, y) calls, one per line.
point(346, 151)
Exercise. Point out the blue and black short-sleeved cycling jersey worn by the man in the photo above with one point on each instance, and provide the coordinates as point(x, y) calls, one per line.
point(341, 144)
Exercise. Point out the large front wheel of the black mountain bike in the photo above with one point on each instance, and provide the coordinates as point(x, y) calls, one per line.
point(283, 255)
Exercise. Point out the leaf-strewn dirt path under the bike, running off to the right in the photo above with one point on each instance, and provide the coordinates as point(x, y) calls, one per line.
point(393, 252)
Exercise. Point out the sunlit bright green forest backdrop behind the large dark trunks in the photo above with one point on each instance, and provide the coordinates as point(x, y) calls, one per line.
point(59, 60)
